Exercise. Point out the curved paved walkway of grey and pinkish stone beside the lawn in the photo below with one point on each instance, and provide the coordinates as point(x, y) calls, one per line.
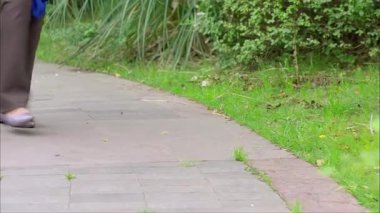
point(135, 149)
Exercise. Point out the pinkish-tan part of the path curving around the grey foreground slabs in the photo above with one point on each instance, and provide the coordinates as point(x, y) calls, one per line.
point(89, 119)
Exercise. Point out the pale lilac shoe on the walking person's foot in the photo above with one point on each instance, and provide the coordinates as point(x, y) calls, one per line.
point(19, 117)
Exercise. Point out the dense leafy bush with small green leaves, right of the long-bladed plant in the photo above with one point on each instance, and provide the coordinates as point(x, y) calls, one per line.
point(248, 31)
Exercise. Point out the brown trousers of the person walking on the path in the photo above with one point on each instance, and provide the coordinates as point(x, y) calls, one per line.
point(19, 36)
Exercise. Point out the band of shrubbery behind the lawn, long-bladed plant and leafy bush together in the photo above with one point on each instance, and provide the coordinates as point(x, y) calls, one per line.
point(243, 32)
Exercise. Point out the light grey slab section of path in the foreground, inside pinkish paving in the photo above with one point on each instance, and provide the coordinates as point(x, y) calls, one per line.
point(159, 187)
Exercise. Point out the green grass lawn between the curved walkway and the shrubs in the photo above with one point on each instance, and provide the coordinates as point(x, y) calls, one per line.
point(330, 119)
